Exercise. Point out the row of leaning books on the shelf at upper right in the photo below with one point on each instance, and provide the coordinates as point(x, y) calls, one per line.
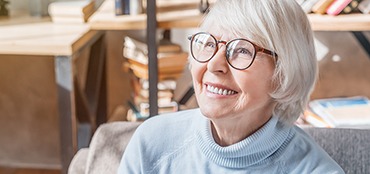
point(334, 7)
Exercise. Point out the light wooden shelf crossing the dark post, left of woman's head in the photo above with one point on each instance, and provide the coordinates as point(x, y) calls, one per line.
point(177, 14)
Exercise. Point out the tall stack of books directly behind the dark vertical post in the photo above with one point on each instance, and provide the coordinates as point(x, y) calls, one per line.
point(171, 63)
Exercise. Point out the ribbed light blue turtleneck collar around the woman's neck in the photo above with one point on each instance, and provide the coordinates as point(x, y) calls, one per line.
point(252, 150)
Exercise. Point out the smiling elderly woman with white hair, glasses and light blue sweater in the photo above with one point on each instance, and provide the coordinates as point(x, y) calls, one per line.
point(253, 66)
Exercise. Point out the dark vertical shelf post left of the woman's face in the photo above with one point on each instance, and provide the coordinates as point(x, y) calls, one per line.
point(152, 55)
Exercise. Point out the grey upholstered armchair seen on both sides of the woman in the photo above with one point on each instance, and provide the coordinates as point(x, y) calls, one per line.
point(349, 147)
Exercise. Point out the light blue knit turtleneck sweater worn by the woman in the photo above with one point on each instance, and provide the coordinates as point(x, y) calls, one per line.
point(182, 142)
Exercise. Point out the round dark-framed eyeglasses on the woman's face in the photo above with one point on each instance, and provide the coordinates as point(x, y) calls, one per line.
point(240, 53)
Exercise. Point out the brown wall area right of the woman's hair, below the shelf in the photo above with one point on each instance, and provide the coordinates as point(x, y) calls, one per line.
point(345, 68)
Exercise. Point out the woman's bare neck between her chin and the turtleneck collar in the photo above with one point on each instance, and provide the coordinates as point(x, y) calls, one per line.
point(230, 131)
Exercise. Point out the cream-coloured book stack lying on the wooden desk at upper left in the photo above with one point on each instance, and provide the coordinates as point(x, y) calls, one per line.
point(71, 11)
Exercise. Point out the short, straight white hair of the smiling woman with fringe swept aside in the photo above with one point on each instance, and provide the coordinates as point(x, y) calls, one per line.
point(280, 26)
